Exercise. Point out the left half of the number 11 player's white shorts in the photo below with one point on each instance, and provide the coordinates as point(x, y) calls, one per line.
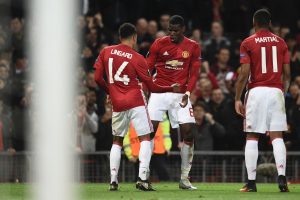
point(256, 109)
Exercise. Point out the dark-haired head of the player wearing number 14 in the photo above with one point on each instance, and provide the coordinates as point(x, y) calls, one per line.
point(127, 33)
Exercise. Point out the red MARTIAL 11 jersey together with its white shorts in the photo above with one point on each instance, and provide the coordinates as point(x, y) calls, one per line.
point(265, 108)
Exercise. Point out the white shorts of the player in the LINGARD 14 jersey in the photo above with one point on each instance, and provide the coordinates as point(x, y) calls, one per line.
point(138, 116)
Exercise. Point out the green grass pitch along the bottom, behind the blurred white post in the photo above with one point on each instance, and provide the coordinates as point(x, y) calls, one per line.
point(219, 191)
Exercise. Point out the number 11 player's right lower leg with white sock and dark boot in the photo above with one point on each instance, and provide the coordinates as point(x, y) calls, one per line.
point(279, 152)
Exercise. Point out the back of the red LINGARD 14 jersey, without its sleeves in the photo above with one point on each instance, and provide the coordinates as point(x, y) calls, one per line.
point(120, 63)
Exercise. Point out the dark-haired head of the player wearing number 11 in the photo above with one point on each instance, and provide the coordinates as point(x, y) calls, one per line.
point(262, 19)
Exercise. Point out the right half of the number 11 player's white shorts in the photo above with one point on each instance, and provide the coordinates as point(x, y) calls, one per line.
point(277, 114)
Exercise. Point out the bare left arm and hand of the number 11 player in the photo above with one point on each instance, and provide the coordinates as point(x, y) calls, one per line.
point(240, 85)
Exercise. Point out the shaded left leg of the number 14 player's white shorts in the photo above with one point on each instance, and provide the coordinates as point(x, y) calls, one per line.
point(120, 123)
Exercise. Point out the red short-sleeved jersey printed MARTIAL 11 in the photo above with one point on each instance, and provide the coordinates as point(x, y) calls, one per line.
point(266, 53)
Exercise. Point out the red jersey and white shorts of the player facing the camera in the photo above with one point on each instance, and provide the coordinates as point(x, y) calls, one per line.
point(174, 63)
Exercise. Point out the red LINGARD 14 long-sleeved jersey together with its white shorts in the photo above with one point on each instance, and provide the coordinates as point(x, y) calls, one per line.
point(123, 68)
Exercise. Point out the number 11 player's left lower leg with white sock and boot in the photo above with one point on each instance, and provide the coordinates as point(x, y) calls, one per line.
point(251, 155)
